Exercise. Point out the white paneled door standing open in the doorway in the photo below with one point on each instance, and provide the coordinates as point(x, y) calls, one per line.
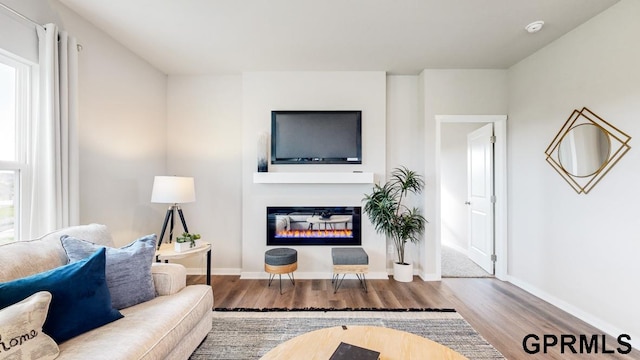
point(480, 196)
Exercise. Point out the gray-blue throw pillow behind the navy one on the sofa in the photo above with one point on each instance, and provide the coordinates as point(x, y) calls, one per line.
point(128, 269)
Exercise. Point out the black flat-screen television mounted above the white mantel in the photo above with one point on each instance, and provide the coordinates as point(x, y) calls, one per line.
point(316, 137)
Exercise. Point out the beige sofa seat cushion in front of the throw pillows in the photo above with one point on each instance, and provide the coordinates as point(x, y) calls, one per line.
point(150, 330)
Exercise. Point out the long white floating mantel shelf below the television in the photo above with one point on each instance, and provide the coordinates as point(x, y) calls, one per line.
point(313, 178)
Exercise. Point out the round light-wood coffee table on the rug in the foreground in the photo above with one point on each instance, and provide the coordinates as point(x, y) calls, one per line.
point(392, 344)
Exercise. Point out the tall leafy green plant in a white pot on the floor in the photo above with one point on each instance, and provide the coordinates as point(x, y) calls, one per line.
point(391, 217)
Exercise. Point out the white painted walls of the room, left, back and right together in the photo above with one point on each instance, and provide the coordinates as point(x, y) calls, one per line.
point(577, 251)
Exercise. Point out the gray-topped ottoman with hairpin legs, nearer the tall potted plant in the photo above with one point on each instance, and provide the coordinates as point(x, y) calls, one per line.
point(349, 261)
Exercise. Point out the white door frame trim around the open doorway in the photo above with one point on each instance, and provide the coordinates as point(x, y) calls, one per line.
point(500, 166)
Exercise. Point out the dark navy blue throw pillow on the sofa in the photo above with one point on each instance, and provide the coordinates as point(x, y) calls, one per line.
point(80, 298)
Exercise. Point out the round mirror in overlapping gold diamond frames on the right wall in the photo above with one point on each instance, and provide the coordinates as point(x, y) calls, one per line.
point(585, 149)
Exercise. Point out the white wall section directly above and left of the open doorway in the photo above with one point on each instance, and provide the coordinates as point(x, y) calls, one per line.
point(451, 92)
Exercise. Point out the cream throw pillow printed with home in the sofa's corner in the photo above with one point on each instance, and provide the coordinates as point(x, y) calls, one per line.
point(21, 329)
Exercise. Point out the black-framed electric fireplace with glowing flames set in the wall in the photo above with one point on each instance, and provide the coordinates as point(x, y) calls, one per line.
point(314, 225)
